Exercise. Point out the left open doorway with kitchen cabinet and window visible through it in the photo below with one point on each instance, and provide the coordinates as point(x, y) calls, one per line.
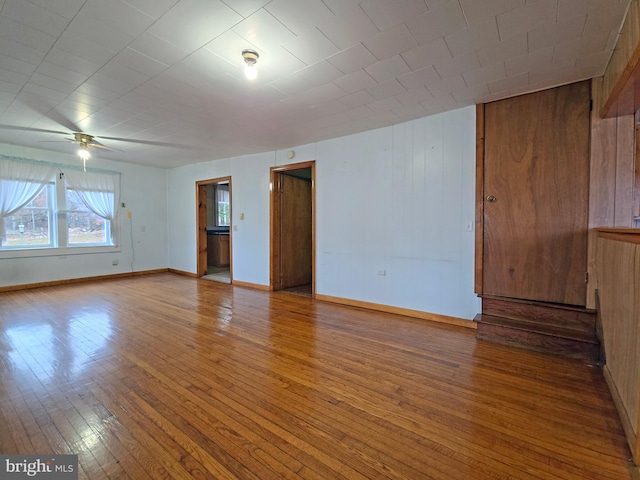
point(214, 229)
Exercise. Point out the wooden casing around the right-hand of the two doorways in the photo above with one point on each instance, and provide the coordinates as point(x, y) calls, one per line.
point(274, 223)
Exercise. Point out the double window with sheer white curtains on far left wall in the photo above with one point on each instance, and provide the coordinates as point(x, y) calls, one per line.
point(42, 209)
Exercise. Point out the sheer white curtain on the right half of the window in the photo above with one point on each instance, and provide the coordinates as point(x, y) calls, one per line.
point(100, 193)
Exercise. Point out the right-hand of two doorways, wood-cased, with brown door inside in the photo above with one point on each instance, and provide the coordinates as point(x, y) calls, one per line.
point(293, 228)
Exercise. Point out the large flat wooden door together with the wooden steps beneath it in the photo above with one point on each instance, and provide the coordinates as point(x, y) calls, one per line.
point(532, 221)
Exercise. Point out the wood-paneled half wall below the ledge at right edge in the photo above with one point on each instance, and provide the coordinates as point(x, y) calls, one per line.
point(618, 266)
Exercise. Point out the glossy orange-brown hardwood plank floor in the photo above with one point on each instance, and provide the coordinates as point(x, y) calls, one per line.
point(165, 376)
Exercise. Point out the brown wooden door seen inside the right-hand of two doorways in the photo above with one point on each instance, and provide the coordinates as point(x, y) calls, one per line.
point(295, 231)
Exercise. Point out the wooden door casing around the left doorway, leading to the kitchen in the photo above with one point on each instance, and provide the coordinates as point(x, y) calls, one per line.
point(201, 225)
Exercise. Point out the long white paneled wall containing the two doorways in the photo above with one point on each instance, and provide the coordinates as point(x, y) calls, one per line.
point(396, 199)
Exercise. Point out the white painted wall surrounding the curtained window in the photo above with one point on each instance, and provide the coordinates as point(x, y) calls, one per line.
point(144, 190)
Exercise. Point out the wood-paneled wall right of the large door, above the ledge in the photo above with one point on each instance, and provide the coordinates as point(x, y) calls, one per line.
point(611, 189)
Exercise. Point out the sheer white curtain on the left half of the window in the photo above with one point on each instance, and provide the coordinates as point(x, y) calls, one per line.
point(21, 181)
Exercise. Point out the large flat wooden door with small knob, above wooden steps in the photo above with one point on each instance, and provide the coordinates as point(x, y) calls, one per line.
point(536, 177)
